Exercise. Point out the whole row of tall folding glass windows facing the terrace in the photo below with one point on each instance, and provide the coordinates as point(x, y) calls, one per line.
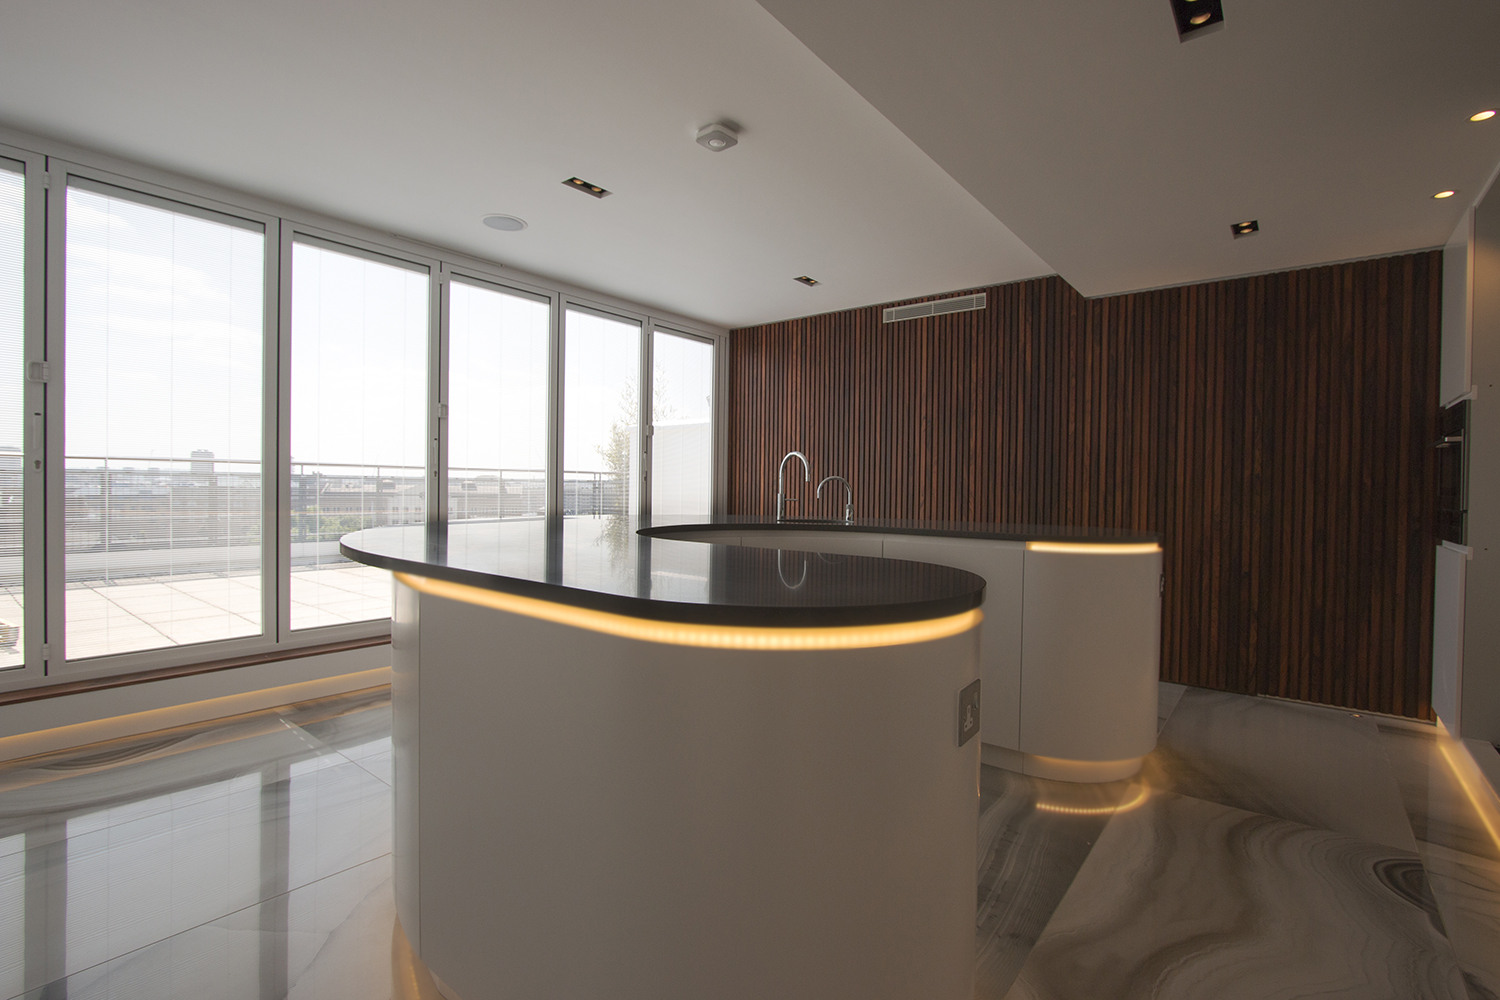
point(202, 395)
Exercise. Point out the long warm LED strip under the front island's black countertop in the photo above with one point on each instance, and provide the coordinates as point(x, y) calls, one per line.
point(704, 636)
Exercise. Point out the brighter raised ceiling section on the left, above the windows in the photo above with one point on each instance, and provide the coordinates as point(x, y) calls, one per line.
point(421, 118)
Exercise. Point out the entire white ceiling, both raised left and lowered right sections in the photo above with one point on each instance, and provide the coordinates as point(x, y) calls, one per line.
point(1087, 130)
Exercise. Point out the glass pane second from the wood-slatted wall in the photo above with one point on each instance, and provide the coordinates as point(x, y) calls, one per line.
point(601, 422)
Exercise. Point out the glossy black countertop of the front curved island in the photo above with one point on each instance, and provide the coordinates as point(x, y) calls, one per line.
point(608, 564)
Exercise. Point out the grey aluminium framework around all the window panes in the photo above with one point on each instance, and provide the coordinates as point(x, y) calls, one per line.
point(43, 157)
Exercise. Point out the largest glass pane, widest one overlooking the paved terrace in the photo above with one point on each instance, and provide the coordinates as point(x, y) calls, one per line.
point(163, 442)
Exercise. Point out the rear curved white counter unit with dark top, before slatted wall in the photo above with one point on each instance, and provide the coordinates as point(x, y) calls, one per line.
point(1072, 638)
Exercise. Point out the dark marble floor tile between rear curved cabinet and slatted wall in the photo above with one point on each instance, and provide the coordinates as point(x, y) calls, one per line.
point(1303, 764)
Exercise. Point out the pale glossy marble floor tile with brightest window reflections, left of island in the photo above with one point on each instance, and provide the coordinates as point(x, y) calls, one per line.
point(142, 840)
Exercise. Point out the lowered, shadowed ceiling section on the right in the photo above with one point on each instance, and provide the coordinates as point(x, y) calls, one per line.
point(1121, 155)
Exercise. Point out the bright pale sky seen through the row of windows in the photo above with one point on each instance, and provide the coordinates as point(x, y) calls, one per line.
point(166, 325)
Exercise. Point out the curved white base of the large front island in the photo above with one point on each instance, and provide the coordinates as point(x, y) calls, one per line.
point(583, 815)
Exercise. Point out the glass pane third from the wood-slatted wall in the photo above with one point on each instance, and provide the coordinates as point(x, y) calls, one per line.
point(497, 404)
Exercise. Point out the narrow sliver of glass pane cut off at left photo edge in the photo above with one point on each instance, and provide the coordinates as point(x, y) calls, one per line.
point(13, 413)
